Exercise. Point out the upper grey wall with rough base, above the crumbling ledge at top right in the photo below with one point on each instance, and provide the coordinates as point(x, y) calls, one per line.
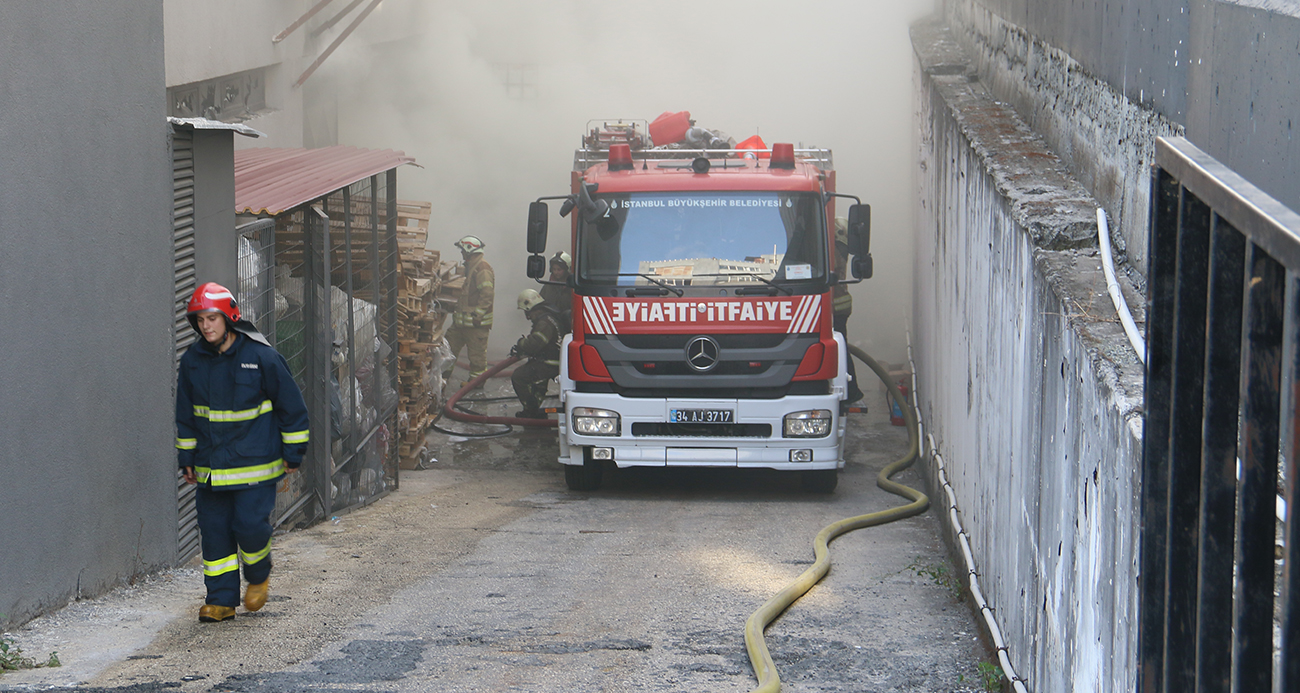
point(1100, 81)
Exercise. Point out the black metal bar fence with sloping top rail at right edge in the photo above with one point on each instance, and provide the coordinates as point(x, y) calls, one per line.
point(1220, 561)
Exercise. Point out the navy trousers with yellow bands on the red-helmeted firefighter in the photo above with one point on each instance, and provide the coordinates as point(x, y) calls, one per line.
point(236, 529)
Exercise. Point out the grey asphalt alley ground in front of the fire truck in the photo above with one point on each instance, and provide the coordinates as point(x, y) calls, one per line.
point(484, 573)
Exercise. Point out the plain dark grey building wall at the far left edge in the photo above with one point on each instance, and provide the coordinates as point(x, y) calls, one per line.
point(88, 466)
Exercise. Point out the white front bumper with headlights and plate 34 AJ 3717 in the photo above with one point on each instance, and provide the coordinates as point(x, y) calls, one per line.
point(772, 452)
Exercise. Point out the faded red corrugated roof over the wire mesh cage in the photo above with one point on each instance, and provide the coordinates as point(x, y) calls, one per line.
point(270, 181)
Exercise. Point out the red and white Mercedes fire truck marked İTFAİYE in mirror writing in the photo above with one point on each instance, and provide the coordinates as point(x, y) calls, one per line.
point(703, 331)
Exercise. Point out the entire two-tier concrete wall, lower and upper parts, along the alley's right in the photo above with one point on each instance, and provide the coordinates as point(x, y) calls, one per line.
point(1032, 392)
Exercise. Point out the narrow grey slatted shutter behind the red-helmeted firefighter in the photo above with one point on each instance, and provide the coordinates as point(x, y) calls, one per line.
point(183, 240)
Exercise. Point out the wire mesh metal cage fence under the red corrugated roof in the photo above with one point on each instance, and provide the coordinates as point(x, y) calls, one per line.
point(320, 283)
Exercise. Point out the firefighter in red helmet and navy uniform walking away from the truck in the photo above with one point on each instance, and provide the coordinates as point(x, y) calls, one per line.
point(241, 426)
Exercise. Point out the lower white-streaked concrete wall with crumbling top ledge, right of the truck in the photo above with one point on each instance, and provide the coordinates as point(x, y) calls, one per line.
point(1026, 383)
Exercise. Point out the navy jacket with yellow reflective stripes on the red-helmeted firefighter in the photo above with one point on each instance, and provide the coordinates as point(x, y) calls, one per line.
point(240, 417)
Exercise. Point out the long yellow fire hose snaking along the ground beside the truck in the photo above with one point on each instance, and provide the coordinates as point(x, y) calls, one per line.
point(769, 682)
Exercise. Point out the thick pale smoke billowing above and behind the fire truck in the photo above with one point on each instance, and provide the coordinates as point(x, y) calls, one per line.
point(822, 73)
